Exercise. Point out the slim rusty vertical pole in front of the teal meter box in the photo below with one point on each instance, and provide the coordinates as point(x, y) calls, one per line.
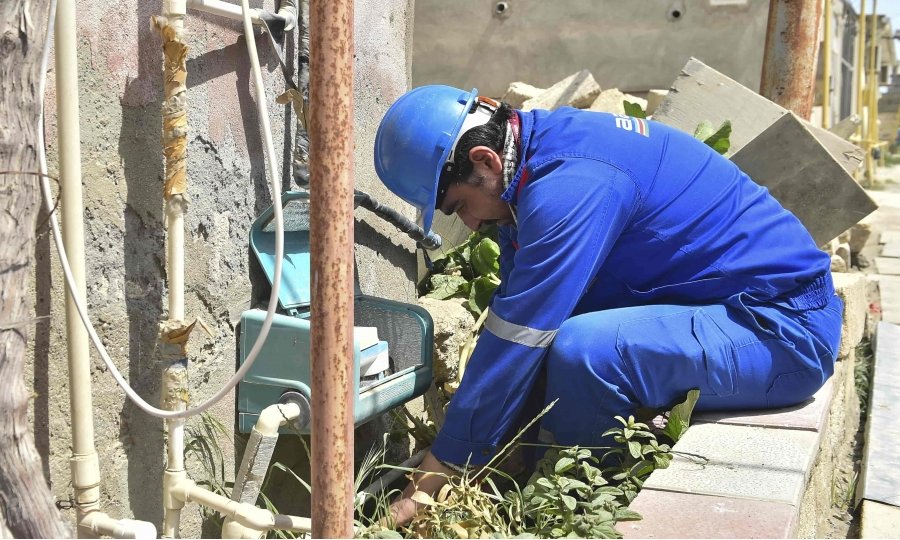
point(331, 229)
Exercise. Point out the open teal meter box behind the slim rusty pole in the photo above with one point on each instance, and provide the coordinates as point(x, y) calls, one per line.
point(392, 343)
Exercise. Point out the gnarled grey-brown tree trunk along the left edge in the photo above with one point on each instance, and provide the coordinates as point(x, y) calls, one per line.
point(26, 504)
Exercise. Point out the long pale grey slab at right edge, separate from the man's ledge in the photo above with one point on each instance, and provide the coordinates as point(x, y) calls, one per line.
point(880, 474)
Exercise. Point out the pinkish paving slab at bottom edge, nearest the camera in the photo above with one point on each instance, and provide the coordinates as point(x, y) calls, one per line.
point(685, 515)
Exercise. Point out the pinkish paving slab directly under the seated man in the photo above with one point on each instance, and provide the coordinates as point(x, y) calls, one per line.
point(809, 415)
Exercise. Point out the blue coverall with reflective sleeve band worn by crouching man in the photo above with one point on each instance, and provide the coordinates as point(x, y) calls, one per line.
point(643, 264)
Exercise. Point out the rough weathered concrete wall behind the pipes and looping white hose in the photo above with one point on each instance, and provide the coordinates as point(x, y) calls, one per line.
point(120, 95)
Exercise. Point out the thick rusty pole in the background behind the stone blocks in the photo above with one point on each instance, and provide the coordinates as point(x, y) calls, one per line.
point(791, 54)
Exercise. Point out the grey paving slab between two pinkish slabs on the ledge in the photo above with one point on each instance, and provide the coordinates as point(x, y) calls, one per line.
point(737, 461)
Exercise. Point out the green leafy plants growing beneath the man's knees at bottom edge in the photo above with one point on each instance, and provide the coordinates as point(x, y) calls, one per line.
point(571, 493)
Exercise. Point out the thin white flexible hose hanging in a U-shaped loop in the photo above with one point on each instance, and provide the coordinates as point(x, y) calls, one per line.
point(279, 239)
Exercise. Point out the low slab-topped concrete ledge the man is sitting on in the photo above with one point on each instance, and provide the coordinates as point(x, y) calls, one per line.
point(761, 474)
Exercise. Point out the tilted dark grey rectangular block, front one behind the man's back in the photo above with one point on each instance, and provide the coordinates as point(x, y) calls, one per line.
point(805, 178)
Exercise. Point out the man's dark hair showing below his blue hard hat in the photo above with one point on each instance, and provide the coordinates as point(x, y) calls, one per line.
point(492, 134)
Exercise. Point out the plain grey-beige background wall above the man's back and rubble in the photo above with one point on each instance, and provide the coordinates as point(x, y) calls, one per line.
point(634, 46)
